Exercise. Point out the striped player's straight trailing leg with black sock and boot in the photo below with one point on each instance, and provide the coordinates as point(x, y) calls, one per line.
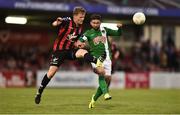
point(52, 70)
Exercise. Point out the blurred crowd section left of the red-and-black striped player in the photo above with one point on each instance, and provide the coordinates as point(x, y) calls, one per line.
point(18, 57)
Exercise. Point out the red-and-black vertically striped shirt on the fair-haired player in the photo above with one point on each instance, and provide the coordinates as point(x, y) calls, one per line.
point(68, 33)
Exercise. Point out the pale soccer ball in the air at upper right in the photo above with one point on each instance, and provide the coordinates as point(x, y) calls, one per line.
point(139, 18)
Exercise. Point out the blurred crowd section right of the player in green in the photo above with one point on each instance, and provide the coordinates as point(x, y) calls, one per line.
point(147, 56)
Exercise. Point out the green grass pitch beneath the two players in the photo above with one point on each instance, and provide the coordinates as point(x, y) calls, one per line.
point(75, 101)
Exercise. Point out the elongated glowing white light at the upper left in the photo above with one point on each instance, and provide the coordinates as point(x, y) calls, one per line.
point(15, 20)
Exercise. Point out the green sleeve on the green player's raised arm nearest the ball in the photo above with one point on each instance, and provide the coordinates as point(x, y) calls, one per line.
point(111, 32)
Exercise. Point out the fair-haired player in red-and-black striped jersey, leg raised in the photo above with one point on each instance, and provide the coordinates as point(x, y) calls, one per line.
point(64, 46)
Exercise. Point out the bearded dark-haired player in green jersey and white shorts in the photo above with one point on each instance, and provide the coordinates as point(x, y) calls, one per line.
point(97, 38)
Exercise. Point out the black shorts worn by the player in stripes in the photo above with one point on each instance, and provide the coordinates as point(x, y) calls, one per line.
point(58, 56)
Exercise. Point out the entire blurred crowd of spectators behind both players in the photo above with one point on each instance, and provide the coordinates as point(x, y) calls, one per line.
point(141, 56)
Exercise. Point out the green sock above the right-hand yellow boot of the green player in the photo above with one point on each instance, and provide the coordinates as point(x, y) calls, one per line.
point(103, 84)
